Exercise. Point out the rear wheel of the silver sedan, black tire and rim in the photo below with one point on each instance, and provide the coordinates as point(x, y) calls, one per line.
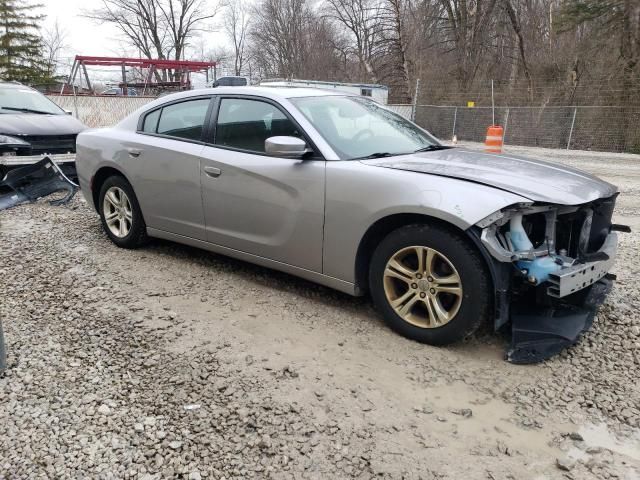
point(123, 202)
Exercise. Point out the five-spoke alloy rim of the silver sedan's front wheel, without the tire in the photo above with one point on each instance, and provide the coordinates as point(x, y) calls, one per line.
point(422, 286)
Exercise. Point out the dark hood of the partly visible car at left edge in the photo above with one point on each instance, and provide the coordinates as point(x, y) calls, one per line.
point(36, 124)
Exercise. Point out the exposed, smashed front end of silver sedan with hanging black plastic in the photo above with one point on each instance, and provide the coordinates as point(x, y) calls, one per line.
point(551, 265)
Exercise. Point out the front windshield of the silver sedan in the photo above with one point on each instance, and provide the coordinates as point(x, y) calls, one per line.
point(356, 127)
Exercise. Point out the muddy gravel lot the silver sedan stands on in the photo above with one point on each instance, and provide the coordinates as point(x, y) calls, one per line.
point(170, 362)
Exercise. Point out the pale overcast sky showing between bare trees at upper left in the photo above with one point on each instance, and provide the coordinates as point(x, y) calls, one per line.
point(87, 37)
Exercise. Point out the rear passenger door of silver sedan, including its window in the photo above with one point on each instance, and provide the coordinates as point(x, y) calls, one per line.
point(166, 166)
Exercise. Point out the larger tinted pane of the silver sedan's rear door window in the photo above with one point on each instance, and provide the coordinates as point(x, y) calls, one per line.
point(184, 120)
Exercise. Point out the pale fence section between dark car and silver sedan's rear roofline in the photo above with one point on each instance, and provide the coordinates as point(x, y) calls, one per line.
point(100, 111)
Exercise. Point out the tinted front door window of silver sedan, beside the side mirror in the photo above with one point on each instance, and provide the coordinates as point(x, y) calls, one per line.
point(246, 124)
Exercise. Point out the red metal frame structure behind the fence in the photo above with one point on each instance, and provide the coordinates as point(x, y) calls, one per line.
point(156, 74)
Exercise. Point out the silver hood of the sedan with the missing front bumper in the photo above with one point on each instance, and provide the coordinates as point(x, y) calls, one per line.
point(536, 180)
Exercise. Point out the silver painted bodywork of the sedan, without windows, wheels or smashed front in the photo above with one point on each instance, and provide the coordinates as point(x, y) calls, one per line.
point(306, 217)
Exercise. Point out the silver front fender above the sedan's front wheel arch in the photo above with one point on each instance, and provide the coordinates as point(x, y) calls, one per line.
point(352, 207)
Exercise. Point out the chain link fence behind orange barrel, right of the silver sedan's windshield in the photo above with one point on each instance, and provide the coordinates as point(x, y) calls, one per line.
point(609, 129)
